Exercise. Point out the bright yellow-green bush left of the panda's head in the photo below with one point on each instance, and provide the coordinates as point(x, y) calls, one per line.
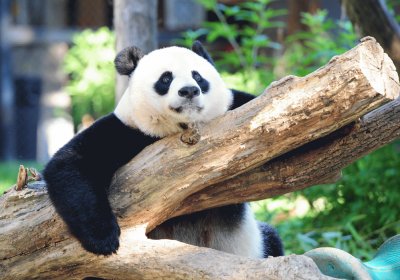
point(89, 63)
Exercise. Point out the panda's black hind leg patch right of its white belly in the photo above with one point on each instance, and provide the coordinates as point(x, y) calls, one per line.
point(271, 240)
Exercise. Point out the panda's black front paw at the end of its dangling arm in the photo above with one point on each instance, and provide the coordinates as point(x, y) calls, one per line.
point(103, 242)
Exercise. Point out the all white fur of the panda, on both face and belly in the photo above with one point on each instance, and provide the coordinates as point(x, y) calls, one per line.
point(142, 107)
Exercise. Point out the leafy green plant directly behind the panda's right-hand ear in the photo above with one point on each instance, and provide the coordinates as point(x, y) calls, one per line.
point(249, 41)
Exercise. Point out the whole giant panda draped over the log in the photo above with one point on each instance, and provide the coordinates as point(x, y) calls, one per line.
point(168, 89)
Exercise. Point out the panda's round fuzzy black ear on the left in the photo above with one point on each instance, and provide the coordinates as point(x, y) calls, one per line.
point(127, 59)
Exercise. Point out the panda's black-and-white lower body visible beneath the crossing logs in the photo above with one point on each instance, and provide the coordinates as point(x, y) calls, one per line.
point(231, 229)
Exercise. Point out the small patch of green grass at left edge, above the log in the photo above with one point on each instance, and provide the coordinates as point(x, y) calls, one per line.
point(9, 173)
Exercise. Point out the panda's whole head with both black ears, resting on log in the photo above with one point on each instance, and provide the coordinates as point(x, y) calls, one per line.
point(169, 88)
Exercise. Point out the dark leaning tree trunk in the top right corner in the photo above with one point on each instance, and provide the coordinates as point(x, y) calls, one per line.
point(371, 18)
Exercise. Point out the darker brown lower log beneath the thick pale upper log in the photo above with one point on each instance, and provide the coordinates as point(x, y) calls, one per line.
point(317, 162)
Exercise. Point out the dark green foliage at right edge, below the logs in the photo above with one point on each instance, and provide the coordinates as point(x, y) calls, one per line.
point(375, 186)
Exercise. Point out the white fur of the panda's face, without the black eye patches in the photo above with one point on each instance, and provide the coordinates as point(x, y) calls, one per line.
point(145, 109)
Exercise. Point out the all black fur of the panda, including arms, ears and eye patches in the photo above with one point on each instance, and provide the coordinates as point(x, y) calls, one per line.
point(79, 174)
